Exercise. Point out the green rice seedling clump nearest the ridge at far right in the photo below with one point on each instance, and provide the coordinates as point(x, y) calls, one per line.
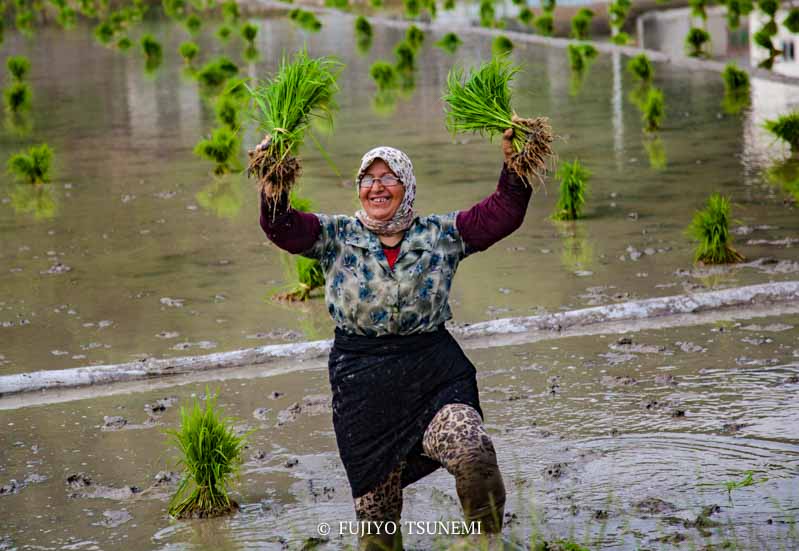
point(710, 227)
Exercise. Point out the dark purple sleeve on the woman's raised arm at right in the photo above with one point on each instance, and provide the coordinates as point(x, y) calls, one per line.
point(496, 216)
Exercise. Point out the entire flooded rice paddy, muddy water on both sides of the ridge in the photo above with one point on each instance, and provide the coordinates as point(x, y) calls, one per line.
point(135, 251)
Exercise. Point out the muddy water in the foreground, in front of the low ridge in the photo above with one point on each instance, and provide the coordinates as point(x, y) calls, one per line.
point(619, 442)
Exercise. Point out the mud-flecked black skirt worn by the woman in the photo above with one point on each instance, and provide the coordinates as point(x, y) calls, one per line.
point(386, 390)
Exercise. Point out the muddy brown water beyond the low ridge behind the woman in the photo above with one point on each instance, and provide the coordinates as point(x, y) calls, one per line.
point(134, 250)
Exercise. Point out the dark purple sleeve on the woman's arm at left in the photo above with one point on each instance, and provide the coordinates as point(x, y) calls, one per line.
point(289, 229)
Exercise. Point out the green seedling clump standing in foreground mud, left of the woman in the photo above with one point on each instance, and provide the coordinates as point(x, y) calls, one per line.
point(211, 455)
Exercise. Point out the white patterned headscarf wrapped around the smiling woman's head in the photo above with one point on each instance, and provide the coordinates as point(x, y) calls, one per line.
point(401, 166)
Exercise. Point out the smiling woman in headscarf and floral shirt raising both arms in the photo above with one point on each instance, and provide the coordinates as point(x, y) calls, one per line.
point(388, 273)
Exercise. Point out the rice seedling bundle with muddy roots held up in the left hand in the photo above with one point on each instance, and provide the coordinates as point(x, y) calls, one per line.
point(302, 88)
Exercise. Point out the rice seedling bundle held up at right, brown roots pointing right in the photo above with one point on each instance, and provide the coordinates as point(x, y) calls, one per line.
point(480, 101)
